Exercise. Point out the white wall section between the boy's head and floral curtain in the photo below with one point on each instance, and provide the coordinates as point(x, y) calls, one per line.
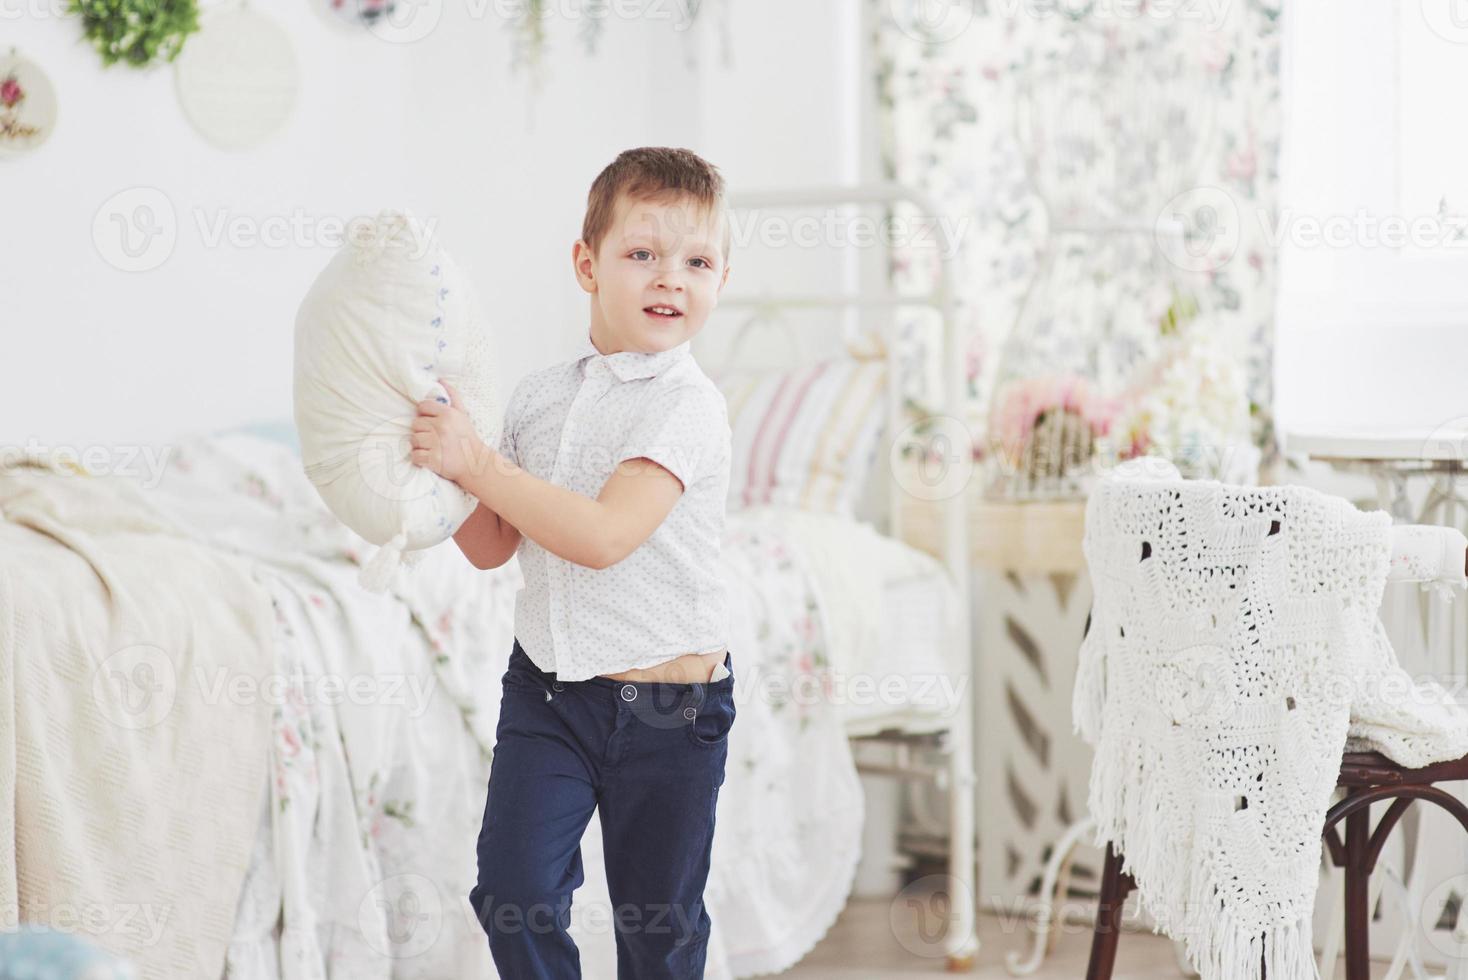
point(791, 108)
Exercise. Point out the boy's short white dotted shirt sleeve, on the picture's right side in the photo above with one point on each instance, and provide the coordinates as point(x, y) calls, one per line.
point(680, 429)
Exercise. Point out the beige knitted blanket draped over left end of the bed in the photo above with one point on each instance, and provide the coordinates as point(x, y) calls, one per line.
point(133, 730)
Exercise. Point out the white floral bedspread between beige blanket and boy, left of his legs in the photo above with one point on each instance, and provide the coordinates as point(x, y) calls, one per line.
point(381, 733)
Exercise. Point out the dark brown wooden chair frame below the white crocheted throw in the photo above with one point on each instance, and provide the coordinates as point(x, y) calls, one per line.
point(1366, 778)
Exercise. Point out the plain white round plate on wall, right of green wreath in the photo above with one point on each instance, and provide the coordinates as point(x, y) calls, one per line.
point(239, 78)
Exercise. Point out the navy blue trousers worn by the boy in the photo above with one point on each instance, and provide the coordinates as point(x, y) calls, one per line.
point(650, 759)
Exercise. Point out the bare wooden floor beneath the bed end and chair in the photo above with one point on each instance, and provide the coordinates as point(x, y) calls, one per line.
point(867, 946)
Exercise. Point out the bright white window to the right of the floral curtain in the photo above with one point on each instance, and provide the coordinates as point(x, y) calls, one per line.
point(1373, 303)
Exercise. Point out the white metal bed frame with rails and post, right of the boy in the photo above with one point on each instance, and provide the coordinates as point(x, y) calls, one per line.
point(961, 940)
